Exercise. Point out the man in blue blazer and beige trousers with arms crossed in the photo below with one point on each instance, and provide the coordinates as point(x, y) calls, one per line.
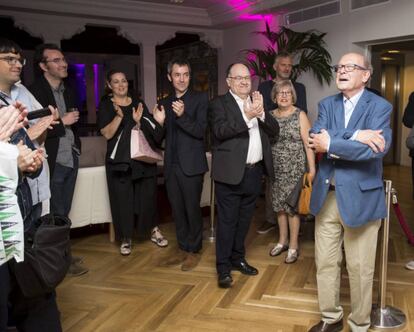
point(353, 133)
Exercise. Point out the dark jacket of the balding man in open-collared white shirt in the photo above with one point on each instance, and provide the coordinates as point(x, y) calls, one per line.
point(231, 140)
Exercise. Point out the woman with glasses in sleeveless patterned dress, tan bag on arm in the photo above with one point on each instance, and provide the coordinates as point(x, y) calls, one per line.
point(291, 159)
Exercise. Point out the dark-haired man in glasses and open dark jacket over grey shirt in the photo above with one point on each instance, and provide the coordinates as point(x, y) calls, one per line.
point(62, 142)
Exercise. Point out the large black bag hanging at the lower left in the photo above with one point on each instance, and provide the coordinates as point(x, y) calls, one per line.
point(47, 256)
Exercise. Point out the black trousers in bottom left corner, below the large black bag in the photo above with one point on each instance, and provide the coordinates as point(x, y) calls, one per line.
point(37, 314)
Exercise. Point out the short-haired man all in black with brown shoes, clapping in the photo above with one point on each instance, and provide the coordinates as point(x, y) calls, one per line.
point(185, 161)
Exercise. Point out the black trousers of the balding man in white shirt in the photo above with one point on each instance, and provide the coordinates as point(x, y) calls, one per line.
point(235, 208)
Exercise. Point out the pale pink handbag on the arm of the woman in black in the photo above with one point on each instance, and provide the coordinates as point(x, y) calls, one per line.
point(140, 148)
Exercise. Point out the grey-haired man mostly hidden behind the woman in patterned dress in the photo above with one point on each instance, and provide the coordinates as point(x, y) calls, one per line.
point(283, 68)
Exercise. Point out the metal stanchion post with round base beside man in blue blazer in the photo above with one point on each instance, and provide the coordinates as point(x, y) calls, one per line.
point(383, 316)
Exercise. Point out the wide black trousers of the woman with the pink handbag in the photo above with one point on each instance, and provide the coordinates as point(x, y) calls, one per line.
point(129, 198)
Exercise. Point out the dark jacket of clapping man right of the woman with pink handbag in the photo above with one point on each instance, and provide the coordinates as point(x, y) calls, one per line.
point(184, 140)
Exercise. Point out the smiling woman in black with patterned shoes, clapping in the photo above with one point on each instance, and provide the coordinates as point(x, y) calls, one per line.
point(132, 184)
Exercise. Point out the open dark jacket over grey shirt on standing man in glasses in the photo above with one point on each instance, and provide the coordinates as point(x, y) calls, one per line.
point(42, 91)
